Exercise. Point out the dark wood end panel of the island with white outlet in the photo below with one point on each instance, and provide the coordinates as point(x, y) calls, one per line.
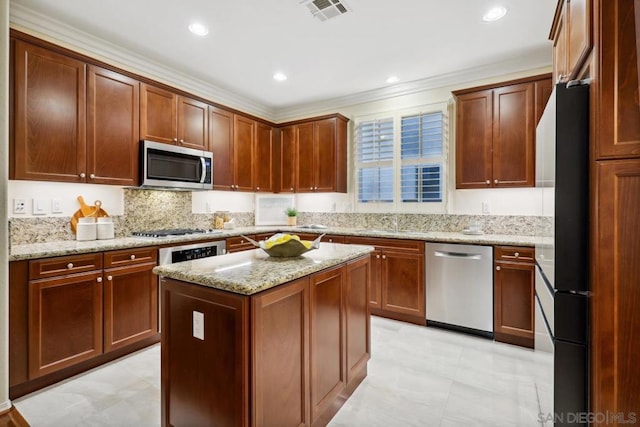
point(204, 365)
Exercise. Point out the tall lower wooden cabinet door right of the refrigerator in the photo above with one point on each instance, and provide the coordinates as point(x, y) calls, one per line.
point(616, 288)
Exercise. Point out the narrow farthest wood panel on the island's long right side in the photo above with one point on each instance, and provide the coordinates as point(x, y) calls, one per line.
point(358, 347)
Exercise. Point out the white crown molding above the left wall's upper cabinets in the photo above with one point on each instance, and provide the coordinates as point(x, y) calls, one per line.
point(43, 26)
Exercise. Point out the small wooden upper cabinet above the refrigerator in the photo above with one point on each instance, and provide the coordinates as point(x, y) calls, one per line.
point(571, 34)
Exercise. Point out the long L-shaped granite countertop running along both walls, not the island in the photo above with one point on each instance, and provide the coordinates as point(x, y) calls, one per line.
point(72, 247)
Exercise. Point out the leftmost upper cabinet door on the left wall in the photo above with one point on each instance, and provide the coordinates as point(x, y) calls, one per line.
point(50, 116)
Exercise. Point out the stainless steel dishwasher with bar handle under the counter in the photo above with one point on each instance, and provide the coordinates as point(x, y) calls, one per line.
point(459, 287)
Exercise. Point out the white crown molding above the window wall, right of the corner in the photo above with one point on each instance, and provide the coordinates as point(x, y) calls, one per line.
point(527, 61)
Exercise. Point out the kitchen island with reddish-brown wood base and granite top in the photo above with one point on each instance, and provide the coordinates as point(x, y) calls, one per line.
point(252, 340)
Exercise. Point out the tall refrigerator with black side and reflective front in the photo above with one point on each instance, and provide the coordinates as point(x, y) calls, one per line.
point(562, 250)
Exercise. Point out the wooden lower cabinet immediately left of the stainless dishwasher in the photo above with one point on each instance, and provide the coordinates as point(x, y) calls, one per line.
point(397, 278)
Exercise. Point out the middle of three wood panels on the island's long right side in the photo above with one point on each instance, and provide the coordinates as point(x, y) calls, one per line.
point(328, 374)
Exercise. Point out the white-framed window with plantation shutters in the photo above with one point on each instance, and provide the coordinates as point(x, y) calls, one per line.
point(400, 159)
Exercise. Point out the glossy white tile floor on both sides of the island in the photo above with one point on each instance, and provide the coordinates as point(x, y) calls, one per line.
point(417, 377)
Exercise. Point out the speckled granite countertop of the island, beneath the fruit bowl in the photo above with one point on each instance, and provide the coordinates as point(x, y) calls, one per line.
point(252, 271)
